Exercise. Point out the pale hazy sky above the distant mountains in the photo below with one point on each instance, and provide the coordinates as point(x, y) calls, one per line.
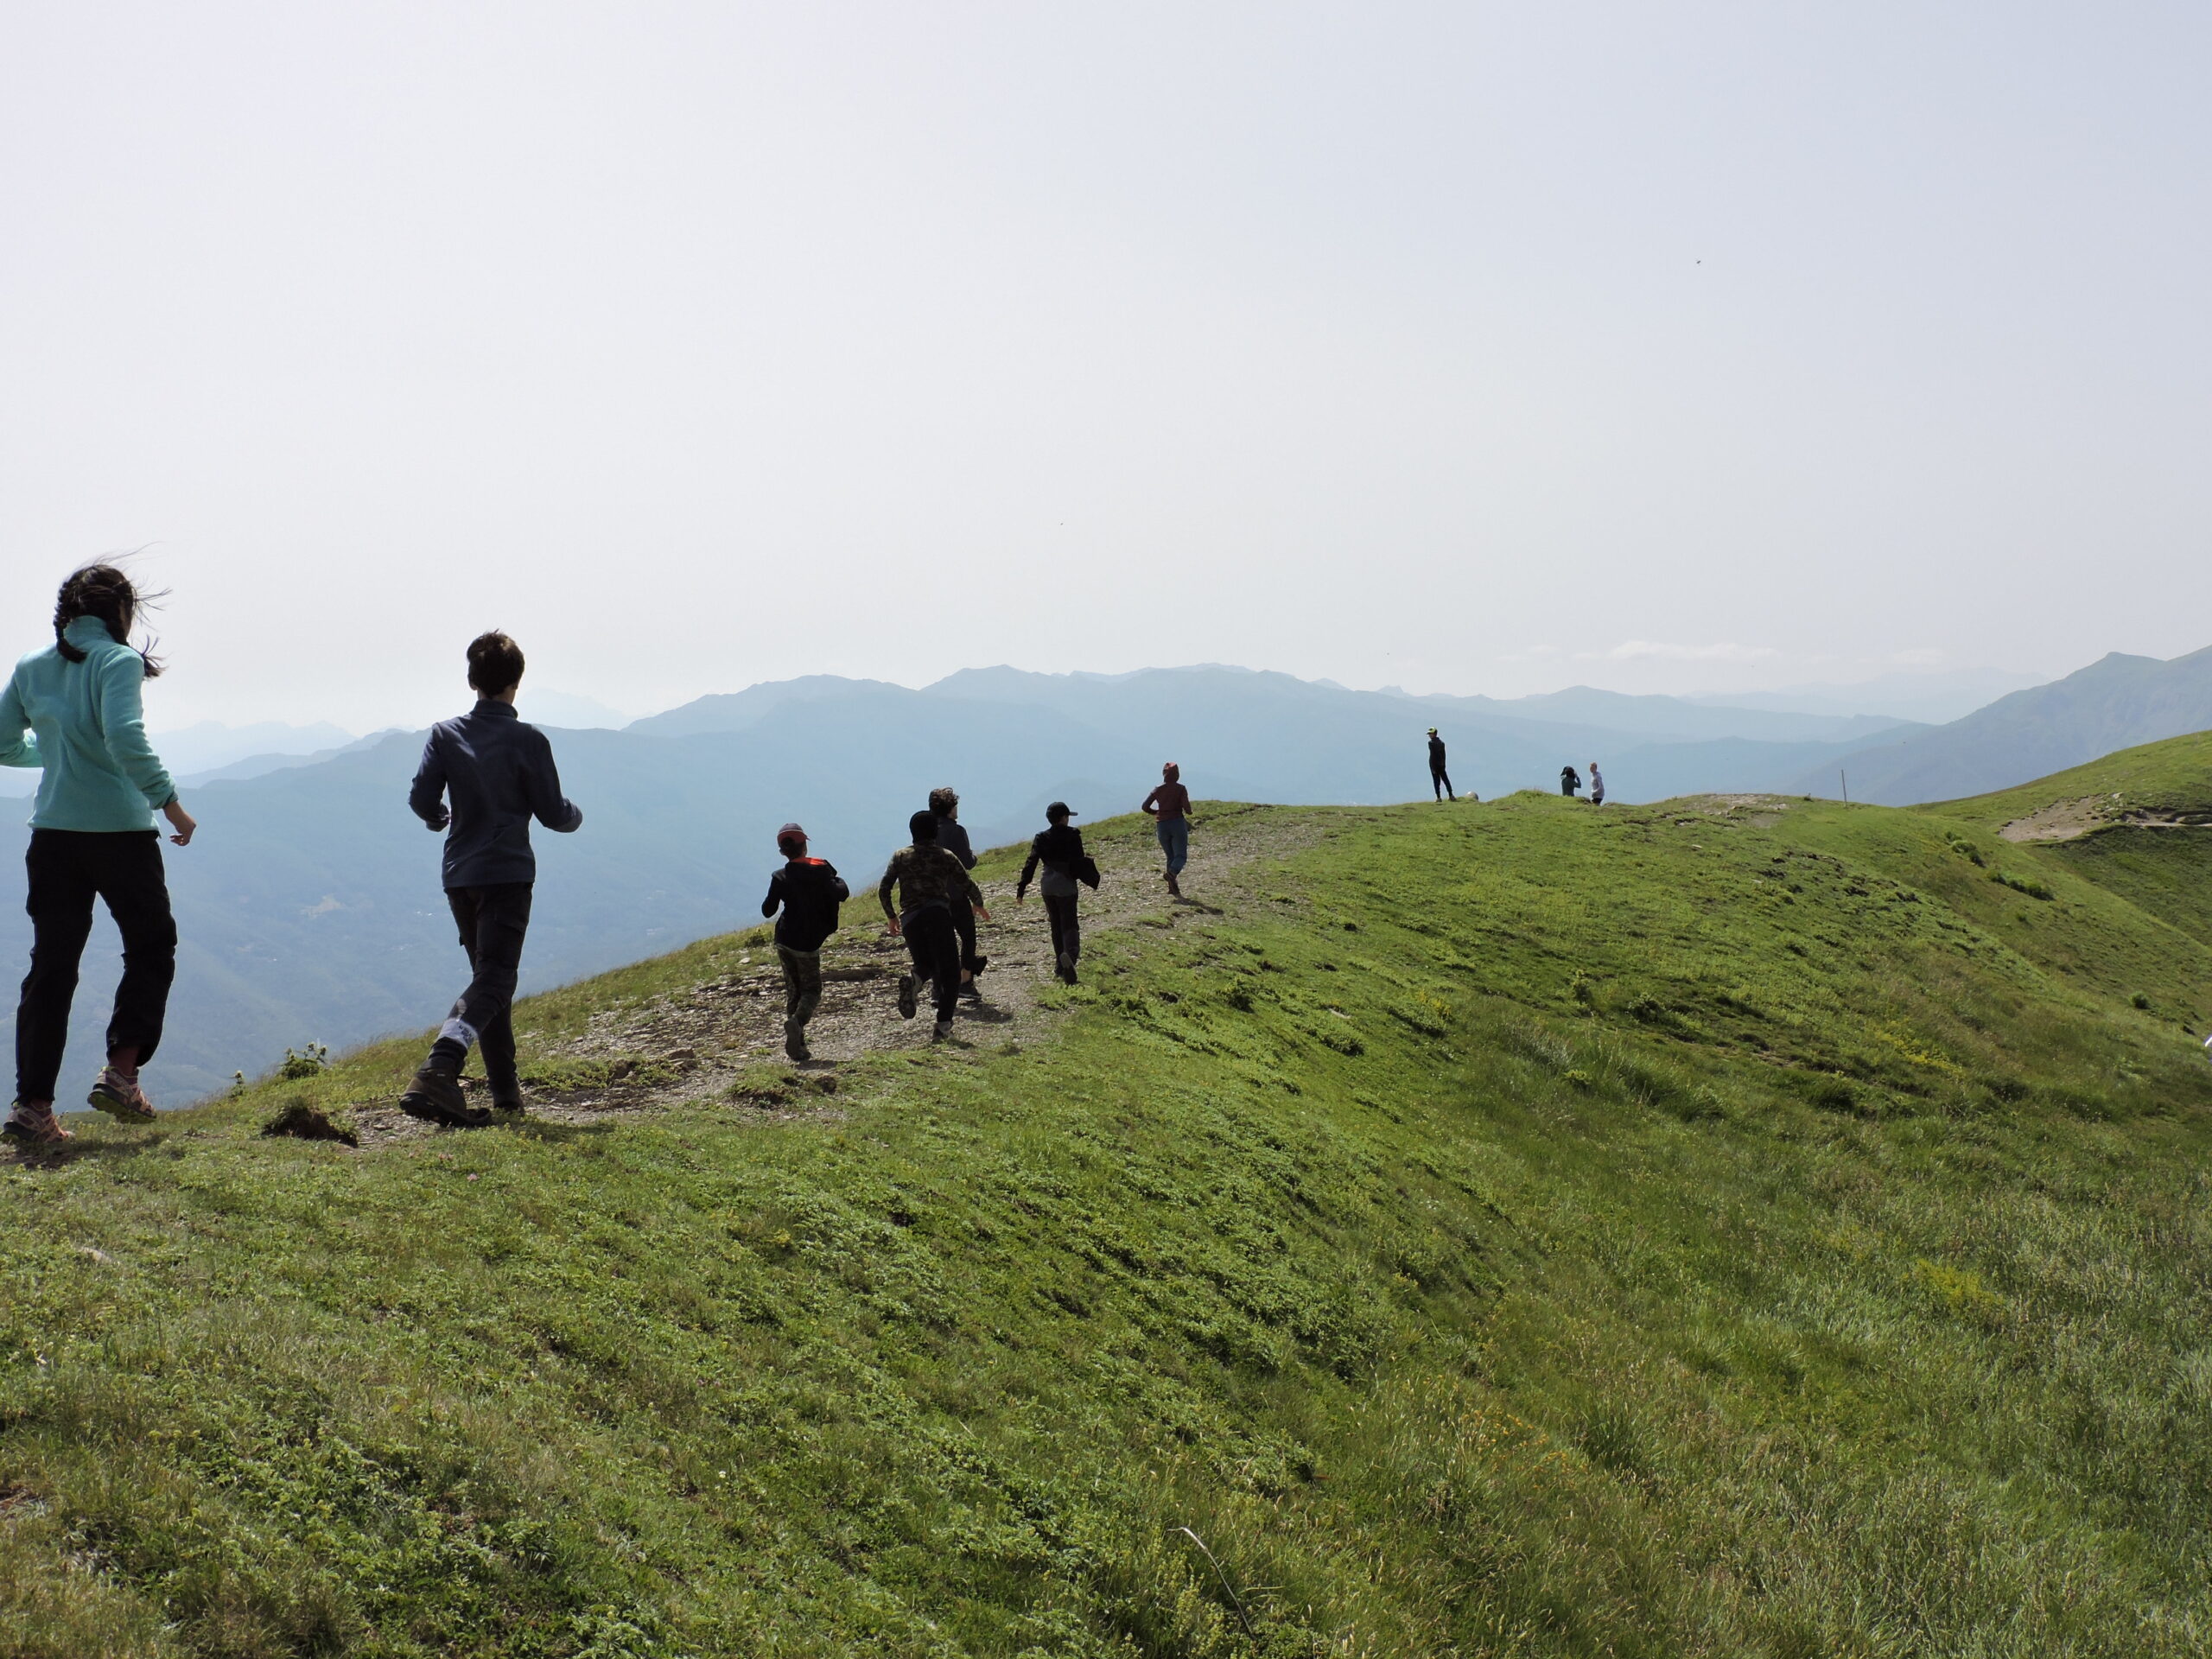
point(1465, 348)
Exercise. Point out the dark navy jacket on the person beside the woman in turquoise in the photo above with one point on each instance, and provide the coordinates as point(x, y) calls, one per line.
point(501, 775)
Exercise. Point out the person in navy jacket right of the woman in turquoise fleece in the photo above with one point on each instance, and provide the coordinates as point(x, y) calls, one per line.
point(499, 775)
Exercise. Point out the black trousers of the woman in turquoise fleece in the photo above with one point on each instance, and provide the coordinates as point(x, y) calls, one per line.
point(67, 870)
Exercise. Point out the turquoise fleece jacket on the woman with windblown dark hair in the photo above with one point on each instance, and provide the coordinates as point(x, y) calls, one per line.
point(87, 731)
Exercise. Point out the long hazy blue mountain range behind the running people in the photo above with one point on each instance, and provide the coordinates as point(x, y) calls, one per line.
point(311, 901)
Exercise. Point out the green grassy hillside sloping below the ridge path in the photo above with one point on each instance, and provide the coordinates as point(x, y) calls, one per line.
point(1514, 1229)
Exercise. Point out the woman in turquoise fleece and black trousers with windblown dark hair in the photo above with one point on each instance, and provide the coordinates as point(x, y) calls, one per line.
point(74, 711)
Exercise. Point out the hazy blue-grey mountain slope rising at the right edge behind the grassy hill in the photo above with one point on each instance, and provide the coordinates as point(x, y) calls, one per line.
point(2107, 707)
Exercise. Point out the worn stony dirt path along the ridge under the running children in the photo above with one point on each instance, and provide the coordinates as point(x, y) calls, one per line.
point(713, 1039)
